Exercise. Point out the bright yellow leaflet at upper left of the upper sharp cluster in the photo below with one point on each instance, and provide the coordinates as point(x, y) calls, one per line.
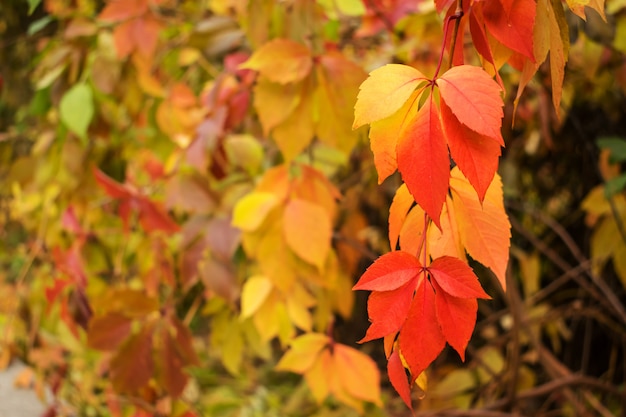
point(384, 92)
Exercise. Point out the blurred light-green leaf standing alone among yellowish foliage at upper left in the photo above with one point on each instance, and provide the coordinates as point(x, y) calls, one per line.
point(77, 109)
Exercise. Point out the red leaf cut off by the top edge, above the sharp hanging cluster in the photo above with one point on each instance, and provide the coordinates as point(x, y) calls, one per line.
point(512, 23)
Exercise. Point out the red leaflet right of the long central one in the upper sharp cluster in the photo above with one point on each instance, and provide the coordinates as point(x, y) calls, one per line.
point(476, 155)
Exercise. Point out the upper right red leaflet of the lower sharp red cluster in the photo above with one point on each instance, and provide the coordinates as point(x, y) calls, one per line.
point(456, 278)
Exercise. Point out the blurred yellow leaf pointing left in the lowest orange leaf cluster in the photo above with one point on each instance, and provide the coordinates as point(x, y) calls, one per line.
point(303, 352)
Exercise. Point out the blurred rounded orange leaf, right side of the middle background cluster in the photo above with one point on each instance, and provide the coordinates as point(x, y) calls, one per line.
point(308, 231)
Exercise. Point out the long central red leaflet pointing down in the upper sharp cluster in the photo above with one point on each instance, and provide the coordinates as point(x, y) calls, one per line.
point(423, 160)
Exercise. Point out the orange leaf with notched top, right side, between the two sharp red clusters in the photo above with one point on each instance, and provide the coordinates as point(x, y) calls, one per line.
point(484, 228)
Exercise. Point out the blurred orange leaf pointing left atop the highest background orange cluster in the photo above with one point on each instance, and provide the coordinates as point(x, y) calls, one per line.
point(281, 61)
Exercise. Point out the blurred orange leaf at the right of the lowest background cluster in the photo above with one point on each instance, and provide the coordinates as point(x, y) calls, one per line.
point(358, 373)
